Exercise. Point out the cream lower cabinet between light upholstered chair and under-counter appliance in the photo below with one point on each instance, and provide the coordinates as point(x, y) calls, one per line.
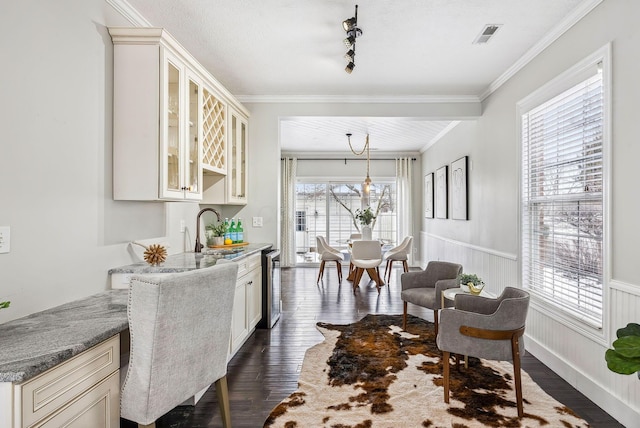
point(247, 305)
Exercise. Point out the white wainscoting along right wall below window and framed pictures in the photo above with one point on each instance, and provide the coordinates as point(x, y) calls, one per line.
point(576, 354)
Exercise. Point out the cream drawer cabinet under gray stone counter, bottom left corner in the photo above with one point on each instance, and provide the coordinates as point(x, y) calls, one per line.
point(83, 391)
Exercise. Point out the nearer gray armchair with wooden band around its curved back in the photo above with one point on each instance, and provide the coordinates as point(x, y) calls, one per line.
point(485, 328)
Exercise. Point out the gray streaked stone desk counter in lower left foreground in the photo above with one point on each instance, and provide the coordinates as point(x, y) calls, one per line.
point(33, 344)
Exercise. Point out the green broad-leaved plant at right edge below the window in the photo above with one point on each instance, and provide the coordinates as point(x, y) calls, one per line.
point(624, 358)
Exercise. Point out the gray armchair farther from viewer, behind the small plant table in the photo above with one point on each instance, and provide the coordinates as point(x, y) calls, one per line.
point(425, 288)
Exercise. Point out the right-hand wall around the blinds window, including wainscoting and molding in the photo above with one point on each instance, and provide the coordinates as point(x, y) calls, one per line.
point(488, 242)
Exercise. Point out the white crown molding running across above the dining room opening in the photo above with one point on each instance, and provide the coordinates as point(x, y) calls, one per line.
point(378, 99)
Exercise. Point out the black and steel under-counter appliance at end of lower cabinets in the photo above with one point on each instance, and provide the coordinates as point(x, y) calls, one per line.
point(271, 289)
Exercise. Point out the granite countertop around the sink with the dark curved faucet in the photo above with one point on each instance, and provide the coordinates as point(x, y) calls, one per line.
point(189, 261)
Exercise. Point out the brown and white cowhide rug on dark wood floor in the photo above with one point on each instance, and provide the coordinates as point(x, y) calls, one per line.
point(373, 374)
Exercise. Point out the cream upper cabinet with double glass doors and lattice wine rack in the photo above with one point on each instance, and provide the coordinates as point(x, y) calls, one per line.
point(171, 120)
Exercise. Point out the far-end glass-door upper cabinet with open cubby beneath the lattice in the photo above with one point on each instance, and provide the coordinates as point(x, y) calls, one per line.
point(231, 189)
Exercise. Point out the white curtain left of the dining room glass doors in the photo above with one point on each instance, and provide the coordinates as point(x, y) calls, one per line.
point(287, 212)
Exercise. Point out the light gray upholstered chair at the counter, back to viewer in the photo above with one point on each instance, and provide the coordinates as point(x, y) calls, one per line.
point(179, 327)
